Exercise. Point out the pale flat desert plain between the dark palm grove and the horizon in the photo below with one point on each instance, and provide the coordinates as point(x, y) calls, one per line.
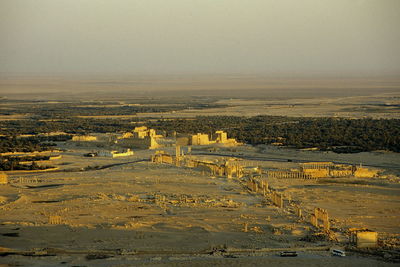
point(243, 95)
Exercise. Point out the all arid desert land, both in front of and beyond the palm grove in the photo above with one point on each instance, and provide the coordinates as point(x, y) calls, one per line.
point(130, 211)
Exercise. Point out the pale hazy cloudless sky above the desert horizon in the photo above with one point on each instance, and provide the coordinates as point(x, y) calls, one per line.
point(200, 36)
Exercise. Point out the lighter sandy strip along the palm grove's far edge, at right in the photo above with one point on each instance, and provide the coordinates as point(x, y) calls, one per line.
point(372, 106)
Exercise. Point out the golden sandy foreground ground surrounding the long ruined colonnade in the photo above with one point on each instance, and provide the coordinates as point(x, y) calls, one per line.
point(140, 213)
